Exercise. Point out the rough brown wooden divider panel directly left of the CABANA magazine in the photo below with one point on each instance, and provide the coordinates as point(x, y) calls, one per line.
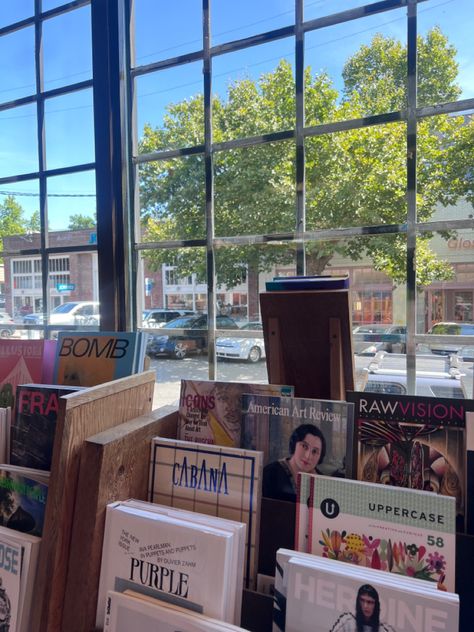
point(114, 466)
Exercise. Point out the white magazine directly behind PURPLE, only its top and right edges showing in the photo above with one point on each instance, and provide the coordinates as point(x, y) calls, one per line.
point(238, 529)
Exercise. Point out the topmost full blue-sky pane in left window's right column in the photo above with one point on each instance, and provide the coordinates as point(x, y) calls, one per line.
point(67, 48)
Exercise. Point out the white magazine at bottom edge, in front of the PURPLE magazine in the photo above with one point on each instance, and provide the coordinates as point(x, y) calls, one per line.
point(130, 611)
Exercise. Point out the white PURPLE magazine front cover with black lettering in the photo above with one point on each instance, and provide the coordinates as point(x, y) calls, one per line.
point(171, 559)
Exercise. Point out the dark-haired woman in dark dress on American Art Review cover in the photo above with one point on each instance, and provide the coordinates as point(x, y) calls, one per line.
point(307, 447)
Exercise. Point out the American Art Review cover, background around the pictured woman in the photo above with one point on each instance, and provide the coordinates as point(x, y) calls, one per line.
point(268, 423)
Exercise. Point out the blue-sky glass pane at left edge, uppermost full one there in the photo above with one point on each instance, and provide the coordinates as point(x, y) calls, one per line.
point(17, 64)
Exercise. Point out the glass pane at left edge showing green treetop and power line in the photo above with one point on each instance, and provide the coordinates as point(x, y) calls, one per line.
point(19, 205)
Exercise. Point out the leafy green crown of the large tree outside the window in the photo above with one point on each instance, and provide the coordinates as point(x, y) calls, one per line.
point(353, 178)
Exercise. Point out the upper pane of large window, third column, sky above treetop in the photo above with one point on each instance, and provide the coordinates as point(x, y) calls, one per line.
point(356, 68)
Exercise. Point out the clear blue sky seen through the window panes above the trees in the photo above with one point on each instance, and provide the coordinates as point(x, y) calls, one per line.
point(163, 30)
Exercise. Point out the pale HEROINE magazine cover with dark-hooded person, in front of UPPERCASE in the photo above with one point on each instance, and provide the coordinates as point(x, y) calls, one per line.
point(322, 598)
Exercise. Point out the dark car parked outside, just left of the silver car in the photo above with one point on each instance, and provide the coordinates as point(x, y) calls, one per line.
point(180, 345)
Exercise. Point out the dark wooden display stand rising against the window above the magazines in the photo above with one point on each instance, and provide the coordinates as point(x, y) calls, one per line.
point(308, 341)
